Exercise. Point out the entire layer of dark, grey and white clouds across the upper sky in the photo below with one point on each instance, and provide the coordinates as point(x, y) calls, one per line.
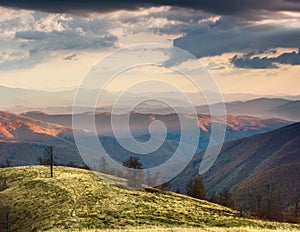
point(203, 28)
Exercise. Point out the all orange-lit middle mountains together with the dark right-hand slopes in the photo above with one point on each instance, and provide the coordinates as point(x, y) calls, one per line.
point(259, 155)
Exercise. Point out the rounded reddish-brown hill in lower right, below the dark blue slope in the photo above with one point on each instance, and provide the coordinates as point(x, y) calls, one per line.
point(281, 181)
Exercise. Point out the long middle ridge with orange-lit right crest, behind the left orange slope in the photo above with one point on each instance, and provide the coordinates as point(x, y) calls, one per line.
point(237, 126)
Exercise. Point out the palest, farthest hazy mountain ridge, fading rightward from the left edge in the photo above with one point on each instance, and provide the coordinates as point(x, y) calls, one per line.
point(15, 99)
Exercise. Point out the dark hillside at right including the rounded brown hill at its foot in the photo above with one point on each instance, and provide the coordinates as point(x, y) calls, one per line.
point(269, 159)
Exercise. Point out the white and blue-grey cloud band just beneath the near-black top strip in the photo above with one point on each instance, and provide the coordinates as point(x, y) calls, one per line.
point(202, 34)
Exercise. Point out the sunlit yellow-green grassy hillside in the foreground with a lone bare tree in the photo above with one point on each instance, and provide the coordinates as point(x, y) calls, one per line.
point(80, 199)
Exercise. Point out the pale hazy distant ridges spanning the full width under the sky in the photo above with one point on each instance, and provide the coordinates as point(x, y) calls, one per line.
point(19, 100)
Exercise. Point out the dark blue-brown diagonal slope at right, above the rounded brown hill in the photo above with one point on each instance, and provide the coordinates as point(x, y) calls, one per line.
point(244, 158)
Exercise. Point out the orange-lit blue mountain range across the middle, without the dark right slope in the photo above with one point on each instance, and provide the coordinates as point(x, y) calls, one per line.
point(35, 129)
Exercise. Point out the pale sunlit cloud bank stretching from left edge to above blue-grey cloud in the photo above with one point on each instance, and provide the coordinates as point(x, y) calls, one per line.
point(38, 34)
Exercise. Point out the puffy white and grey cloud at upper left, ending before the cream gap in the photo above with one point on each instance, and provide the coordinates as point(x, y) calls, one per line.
point(30, 37)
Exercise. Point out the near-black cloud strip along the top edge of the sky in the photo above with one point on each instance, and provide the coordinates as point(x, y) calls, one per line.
point(215, 6)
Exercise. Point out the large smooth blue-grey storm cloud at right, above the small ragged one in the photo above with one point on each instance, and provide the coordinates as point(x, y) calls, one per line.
point(216, 41)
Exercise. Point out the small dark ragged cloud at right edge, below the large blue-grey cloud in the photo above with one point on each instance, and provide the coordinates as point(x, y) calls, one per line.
point(247, 61)
